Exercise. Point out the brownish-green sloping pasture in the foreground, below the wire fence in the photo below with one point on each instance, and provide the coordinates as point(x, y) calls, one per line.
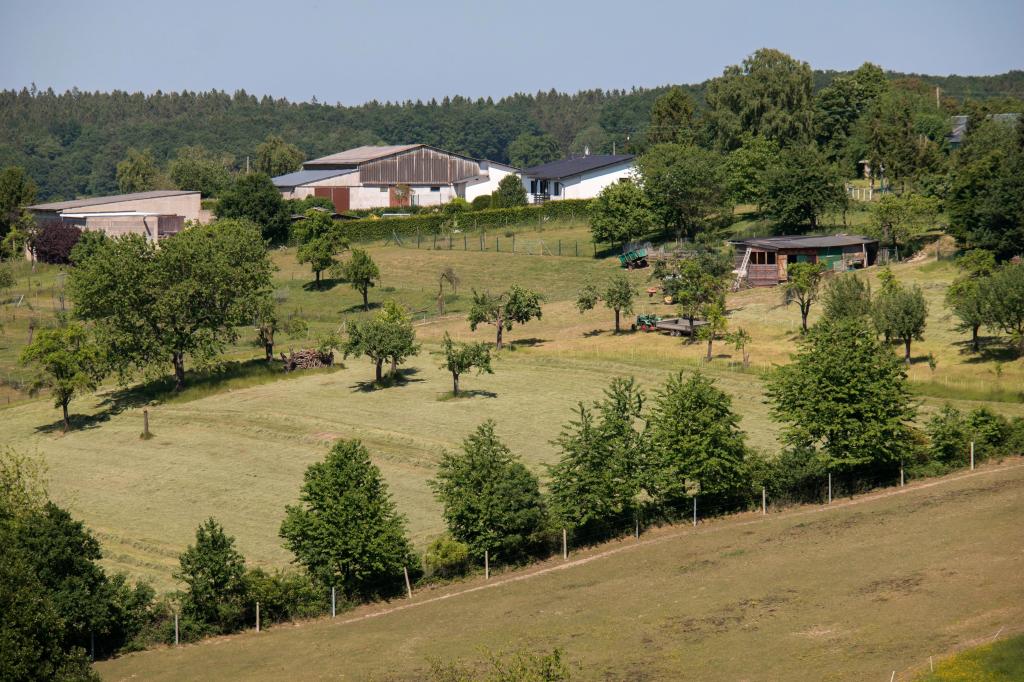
point(856, 591)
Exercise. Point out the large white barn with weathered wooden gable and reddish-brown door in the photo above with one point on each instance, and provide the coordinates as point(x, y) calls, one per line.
point(395, 177)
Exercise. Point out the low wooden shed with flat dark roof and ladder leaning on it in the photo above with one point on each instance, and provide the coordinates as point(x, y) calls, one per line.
point(763, 262)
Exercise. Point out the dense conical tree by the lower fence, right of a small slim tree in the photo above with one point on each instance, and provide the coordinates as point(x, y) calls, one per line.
point(347, 531)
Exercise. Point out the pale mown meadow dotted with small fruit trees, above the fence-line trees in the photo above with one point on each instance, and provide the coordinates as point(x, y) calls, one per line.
point(236, 445)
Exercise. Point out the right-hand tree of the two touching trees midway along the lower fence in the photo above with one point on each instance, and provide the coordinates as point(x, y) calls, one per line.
point(695, 436)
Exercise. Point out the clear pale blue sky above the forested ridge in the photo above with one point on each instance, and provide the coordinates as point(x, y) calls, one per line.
point(360, 51)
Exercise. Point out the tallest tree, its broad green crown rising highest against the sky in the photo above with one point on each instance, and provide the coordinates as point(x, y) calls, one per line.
point(771, 95)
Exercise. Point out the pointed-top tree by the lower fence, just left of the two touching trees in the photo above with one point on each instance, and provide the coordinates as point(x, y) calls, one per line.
point(490, 501)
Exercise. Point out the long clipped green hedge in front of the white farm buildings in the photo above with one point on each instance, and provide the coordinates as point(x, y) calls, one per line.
point(368, 230)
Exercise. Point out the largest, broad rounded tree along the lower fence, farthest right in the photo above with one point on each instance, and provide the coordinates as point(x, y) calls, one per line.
point(844, 402)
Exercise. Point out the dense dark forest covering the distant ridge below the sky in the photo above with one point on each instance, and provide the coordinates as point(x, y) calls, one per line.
point(71, 144)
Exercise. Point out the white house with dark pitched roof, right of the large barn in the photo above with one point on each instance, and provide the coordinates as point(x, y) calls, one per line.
point(582, 178)
